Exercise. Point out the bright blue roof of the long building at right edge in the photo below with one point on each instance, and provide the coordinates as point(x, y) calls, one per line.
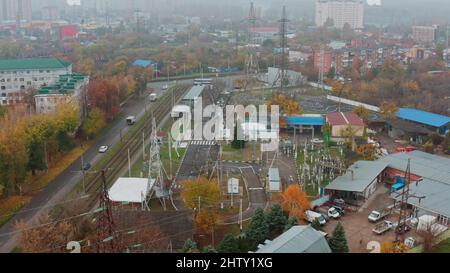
point(423, 117)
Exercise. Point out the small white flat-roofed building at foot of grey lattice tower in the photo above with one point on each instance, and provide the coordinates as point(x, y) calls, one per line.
point(130, 191)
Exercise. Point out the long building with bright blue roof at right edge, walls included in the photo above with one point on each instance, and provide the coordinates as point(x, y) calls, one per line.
point(431, 121)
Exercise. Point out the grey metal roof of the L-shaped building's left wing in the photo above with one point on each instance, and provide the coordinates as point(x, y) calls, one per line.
point(364, 173)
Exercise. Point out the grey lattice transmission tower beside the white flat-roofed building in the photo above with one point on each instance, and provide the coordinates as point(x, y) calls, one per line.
point(155, 170)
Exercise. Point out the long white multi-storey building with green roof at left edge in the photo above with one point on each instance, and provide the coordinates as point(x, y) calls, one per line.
point(16, 76)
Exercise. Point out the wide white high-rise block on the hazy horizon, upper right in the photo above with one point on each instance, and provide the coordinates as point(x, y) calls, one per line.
point(340, 13)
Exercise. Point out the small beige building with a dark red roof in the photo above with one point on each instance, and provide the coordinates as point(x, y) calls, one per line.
point(343, 124)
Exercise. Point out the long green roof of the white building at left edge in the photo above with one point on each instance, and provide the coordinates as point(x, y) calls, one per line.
point(36, 63)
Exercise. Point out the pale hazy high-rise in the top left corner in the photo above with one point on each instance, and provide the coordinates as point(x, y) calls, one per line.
point(15, 10)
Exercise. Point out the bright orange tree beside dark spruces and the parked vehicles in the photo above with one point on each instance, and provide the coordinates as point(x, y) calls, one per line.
point(295, 201)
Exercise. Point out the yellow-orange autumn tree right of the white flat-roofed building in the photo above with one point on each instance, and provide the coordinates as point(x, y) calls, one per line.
point(207, 191)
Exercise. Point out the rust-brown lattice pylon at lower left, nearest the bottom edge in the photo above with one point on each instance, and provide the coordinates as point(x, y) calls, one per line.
point(108, 239)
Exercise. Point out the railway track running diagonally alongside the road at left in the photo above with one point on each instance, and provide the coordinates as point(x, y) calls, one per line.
point(160, 109)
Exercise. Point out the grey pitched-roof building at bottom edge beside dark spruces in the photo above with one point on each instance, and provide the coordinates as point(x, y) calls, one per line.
point(298, 239)
